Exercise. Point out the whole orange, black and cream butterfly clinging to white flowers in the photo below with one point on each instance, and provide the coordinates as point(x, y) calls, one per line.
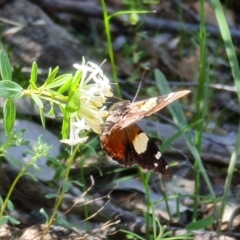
point(125, 142)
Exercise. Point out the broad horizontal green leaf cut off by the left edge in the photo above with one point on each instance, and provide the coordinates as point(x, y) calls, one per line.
point(11, 90)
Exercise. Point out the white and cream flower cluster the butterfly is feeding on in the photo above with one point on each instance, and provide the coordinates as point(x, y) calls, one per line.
point(94, 87)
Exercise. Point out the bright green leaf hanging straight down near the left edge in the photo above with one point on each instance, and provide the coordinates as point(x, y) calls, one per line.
point(9, 115)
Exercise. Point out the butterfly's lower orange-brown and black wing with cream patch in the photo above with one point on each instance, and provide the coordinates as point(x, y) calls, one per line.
point(130, 146)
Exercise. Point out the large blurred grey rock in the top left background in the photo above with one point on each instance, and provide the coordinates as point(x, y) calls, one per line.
point(35, 37)
